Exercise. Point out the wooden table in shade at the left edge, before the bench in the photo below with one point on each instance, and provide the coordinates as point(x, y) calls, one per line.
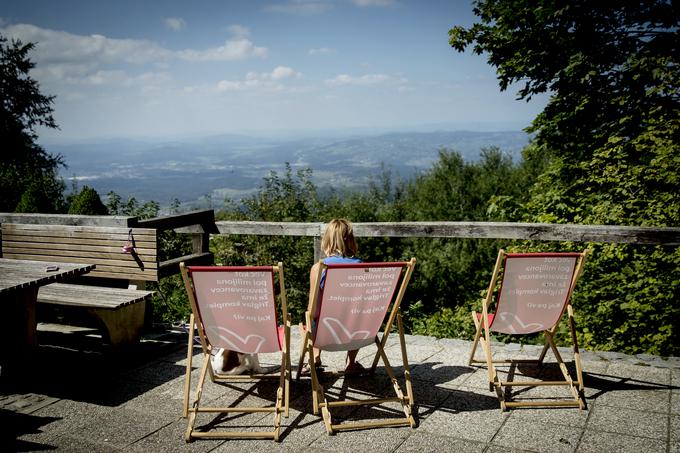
point(19, 284)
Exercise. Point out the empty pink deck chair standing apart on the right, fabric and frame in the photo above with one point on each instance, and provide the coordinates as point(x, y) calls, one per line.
point(532, 293)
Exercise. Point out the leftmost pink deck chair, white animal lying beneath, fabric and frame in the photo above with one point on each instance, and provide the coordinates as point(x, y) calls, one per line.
point(235, 308)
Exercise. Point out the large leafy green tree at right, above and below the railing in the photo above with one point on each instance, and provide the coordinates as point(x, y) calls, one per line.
point(610, 132)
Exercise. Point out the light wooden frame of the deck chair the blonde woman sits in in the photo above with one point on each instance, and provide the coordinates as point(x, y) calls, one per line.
point(319, 400)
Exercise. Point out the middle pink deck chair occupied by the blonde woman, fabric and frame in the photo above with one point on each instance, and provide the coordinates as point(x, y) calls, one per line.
point(356, 301)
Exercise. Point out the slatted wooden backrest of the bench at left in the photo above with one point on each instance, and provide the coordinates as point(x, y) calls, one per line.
point(102, 246)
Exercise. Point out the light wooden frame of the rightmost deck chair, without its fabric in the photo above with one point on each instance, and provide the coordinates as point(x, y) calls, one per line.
point(484, 323)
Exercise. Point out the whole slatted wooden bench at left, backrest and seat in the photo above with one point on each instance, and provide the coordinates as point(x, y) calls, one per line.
point(119, 310)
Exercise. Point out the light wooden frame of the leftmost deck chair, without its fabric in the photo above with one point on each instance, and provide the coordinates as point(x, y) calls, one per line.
point(196, 323)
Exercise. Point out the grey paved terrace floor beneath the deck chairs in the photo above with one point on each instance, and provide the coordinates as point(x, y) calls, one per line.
point(75, 397)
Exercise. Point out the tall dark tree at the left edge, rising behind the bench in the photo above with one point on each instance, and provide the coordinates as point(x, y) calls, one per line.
point(28, 175)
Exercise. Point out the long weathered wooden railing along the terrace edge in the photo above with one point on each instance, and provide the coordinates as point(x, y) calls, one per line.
point(201, 224)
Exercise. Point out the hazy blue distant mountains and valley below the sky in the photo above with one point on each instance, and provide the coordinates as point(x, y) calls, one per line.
point(203, 171)
